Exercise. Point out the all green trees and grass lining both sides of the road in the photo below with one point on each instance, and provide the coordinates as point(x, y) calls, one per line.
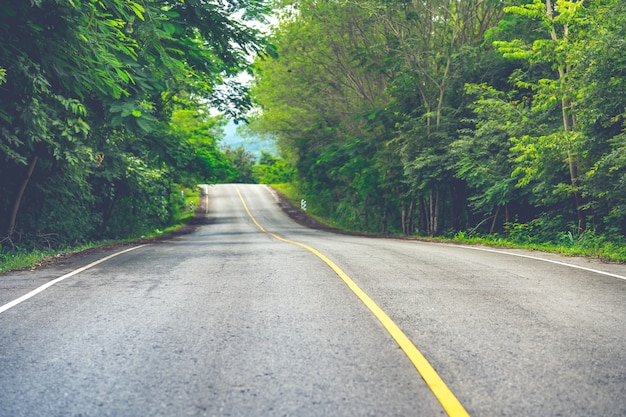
point(481, 121)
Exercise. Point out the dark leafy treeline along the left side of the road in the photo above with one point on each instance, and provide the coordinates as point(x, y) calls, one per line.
point(104, 111)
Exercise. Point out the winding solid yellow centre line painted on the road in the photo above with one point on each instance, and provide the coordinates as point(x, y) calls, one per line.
point(446, 398)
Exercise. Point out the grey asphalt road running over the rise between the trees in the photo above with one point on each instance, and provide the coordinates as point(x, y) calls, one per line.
point(230, 321)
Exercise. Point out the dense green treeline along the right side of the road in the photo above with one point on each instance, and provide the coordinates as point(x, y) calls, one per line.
point(440, 116)
